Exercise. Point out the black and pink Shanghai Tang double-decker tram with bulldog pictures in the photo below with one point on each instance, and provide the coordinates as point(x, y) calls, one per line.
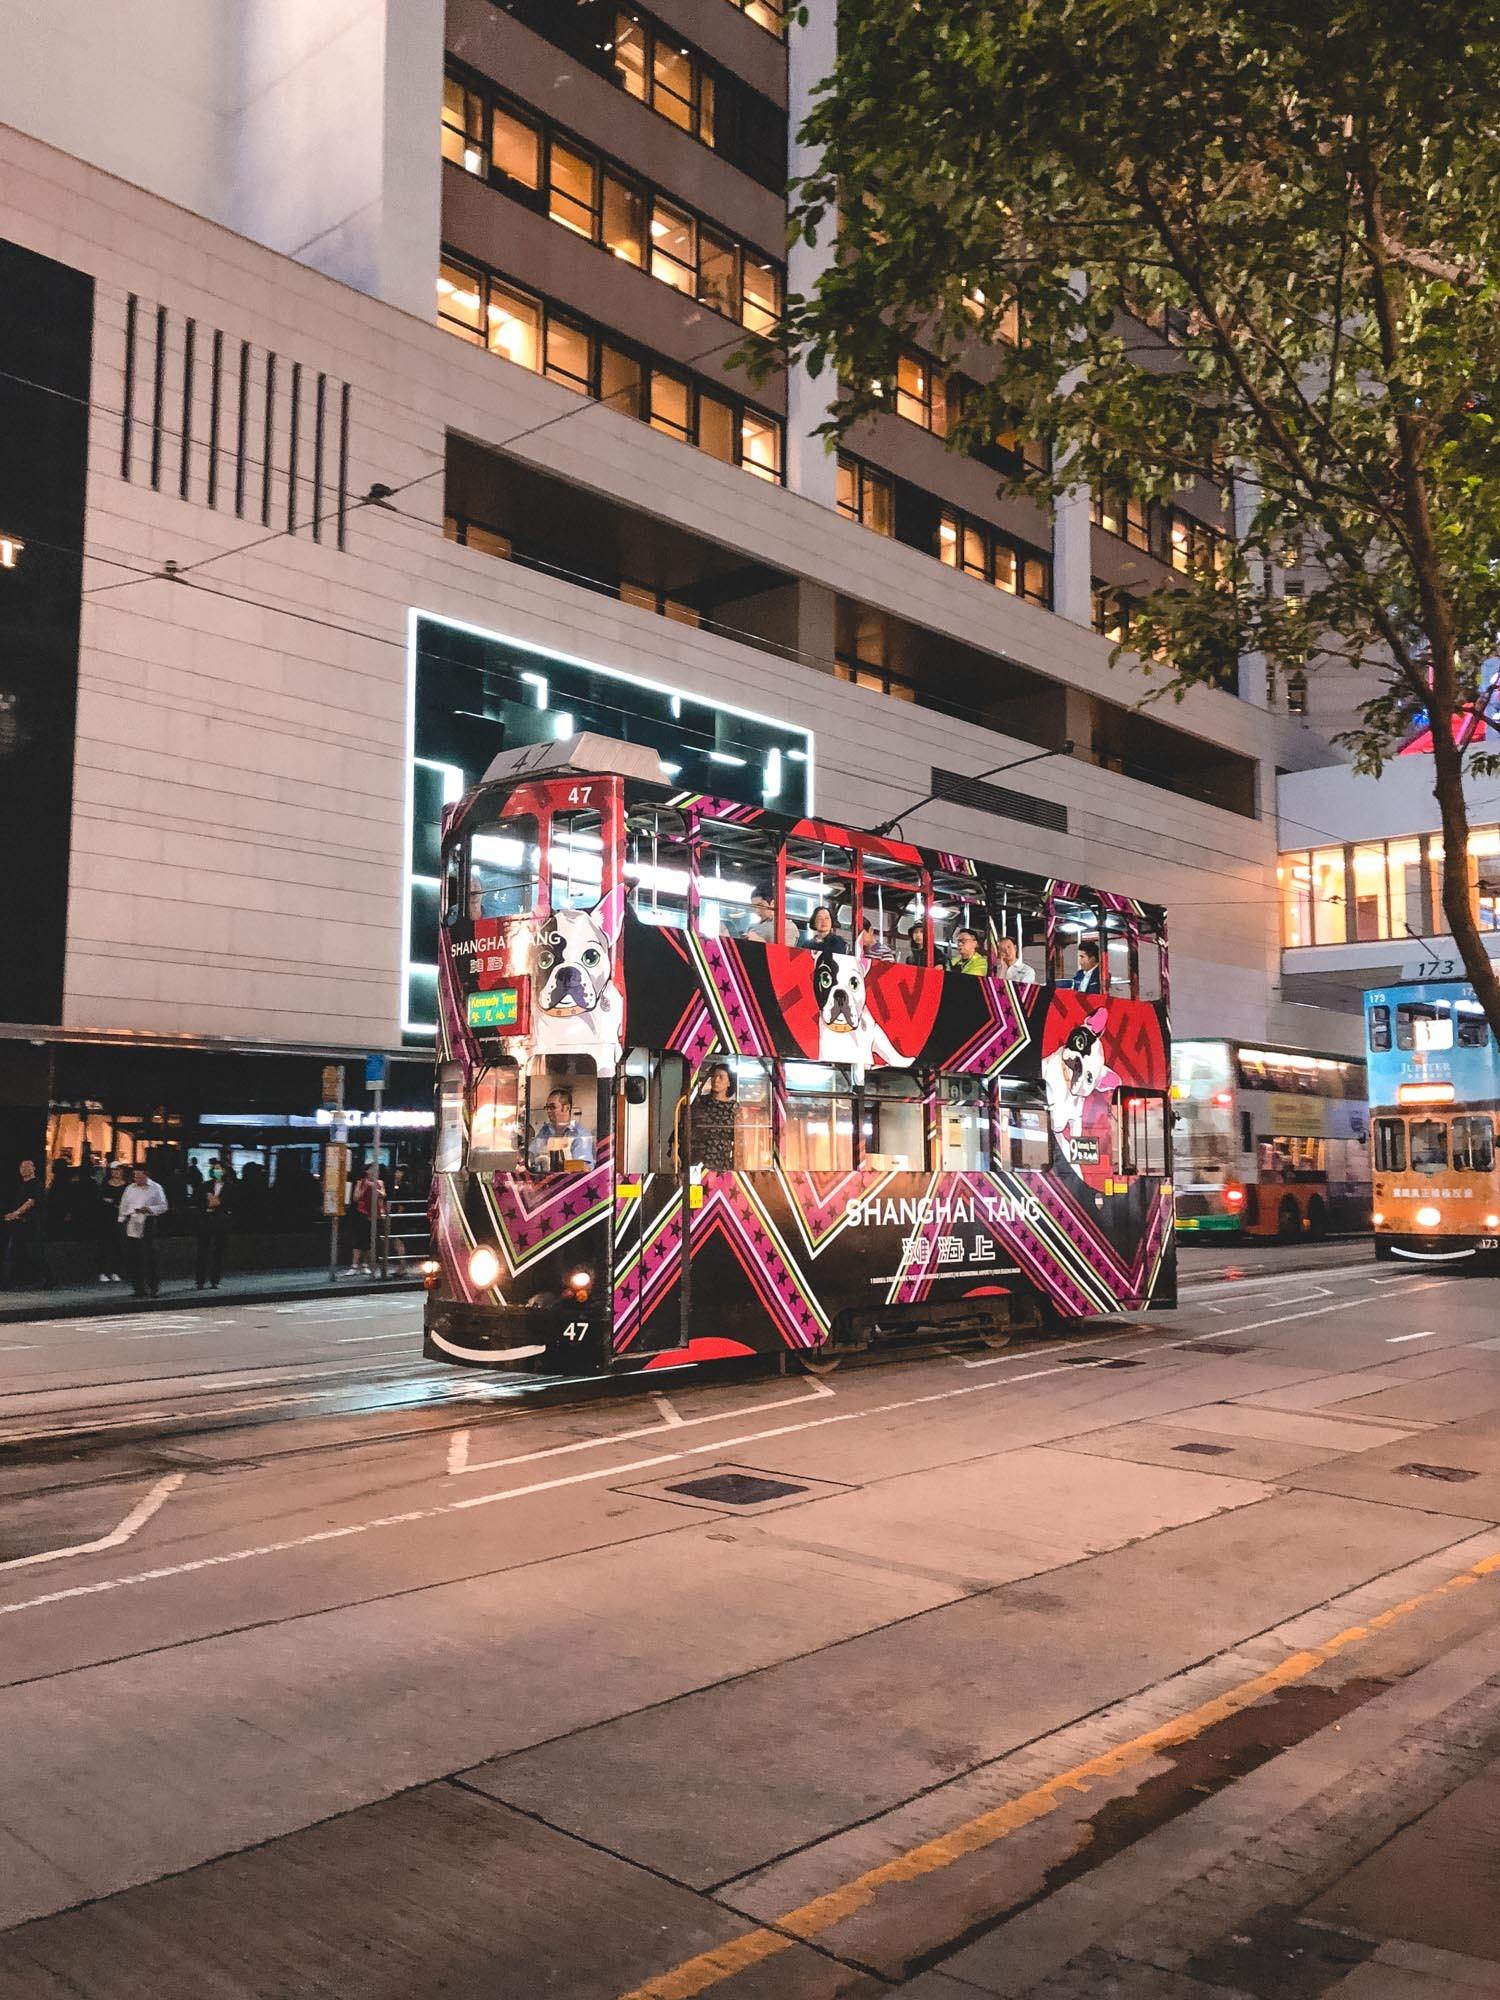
point(719, 1083)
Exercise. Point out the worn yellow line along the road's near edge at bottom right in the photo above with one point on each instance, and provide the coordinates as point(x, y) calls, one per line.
point(811, 1919)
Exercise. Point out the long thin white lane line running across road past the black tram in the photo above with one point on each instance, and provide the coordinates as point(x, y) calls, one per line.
point(573, 1479)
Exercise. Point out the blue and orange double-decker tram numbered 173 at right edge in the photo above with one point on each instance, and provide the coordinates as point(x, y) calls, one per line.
point(1435, 1101)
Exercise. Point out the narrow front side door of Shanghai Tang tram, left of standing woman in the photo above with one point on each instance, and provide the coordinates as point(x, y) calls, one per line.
point(651, 1213)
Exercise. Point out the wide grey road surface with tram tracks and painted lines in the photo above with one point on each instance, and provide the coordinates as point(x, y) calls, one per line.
point(1119, 1665)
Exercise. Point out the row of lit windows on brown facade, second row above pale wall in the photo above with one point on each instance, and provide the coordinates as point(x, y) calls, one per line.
point(589, 195)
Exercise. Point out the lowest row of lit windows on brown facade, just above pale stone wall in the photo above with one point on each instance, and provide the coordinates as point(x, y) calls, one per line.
point(485, 311)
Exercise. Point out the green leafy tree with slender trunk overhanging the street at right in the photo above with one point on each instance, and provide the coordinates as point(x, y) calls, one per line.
point(1305, 195)
